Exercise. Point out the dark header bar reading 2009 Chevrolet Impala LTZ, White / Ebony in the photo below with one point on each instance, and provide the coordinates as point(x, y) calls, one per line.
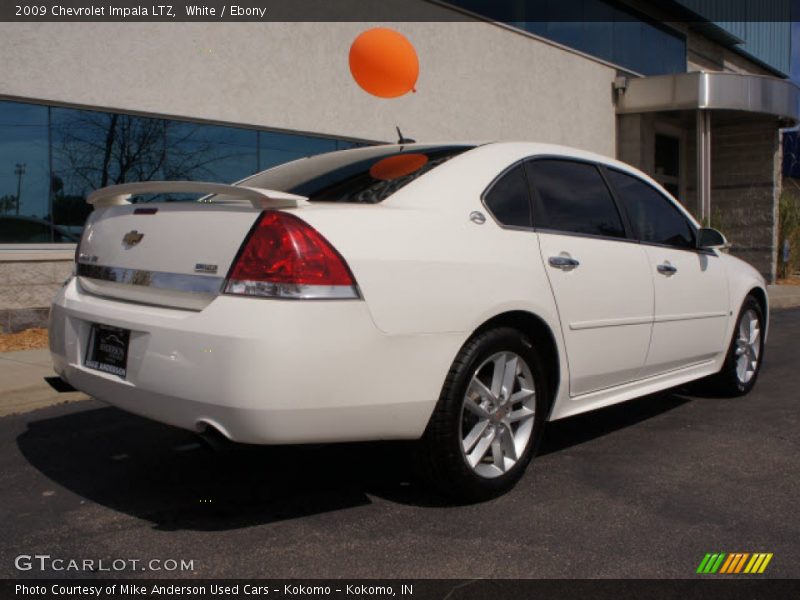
point(383, 10)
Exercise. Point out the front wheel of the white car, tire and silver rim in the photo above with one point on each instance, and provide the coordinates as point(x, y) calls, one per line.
point(745, 353)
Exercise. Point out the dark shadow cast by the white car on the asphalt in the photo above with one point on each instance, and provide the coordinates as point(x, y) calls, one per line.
point(168, 477)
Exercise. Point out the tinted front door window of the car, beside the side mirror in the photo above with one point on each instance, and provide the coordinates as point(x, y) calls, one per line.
point(654, 218)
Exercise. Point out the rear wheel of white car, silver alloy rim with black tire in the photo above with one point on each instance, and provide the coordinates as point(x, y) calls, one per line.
point(489, 418)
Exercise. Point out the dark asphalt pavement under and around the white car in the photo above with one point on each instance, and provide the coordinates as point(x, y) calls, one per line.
point(644, 489)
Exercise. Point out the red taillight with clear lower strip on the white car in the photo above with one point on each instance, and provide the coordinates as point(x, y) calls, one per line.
point(284, 257)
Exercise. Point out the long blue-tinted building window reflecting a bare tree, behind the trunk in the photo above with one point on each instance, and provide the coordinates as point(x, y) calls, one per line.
point(51, 158)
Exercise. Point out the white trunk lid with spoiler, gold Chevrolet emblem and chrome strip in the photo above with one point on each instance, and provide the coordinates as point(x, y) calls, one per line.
point(173, 254)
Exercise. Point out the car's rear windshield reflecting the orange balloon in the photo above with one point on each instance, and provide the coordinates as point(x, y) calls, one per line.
point(363, 175)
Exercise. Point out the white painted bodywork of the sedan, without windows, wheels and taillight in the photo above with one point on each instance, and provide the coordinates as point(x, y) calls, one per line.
point(294, 371)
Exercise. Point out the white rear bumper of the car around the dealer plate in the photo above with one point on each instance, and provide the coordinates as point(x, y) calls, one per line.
point(261, 371)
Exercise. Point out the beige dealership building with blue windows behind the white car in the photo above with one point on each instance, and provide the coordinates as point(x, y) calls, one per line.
point(695, 100)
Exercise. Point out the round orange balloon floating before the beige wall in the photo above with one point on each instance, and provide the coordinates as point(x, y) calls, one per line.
point(384, 63)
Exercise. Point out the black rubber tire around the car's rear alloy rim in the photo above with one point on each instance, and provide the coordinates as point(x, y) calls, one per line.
point(443, 461)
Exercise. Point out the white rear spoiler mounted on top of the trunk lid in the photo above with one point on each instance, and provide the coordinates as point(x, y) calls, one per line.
point(116, 195)
